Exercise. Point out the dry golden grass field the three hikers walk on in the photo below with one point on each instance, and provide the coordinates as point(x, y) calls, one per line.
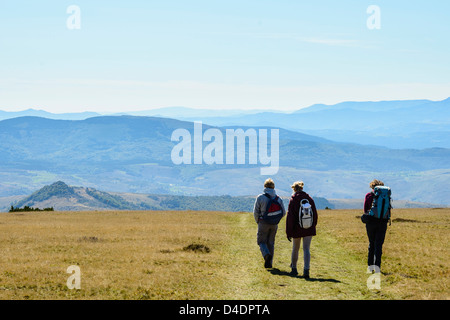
point(214, 256)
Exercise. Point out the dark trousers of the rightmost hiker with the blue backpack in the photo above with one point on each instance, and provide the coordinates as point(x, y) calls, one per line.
point(376, 232)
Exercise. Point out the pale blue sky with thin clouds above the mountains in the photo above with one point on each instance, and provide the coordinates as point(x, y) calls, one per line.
point(118, 56)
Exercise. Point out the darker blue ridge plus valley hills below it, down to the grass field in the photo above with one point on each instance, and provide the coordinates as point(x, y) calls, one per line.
point(129, 154)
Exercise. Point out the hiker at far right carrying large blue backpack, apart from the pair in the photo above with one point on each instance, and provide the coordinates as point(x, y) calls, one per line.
point(377, 214)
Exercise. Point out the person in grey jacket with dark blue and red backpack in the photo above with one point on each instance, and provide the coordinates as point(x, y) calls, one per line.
point(268, 211)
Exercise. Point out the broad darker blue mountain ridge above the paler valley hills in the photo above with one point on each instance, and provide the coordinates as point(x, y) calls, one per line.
point(113, 142)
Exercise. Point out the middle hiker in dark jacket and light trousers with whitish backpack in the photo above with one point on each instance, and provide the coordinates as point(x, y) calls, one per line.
point(296, 231)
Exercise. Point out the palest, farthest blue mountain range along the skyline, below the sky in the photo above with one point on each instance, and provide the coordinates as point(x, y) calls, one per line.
point(414, 124)
